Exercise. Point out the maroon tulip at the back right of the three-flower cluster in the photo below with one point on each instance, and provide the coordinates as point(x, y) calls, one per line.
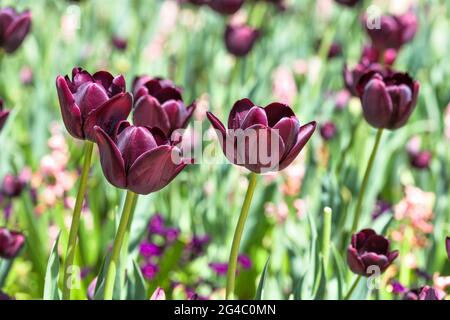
point(158, 103)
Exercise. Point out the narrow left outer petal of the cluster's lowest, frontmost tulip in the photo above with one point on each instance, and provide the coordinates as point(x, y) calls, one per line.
point(111, 159)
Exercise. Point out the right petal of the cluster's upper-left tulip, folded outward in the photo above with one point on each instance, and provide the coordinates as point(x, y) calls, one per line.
point(108, 115)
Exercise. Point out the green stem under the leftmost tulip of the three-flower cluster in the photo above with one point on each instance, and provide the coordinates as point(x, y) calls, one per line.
point(76, 217)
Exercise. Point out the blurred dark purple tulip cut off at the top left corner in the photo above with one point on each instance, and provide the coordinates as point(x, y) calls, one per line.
point(14, 27)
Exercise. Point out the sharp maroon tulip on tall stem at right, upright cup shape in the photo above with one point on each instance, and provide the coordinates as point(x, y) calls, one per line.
point(388, 100)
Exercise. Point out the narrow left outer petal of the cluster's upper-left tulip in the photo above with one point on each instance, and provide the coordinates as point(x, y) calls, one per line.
point(71, 114)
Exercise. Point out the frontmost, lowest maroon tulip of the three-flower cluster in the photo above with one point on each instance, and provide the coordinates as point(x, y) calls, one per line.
point(139, 159)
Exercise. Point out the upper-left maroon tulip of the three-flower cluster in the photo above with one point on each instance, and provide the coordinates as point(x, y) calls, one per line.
point(92, 100)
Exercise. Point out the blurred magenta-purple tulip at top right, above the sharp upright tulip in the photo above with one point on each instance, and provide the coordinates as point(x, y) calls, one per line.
point(392, 32)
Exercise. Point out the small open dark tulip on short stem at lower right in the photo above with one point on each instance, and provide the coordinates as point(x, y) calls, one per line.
point(368, 249)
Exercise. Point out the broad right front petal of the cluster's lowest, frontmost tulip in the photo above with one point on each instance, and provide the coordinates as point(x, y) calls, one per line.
point(155, 169)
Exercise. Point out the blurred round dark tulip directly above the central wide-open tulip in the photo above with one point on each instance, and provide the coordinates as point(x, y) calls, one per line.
point(240, 39)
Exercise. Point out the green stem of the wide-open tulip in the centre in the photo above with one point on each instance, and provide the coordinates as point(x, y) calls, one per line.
point(232, 263)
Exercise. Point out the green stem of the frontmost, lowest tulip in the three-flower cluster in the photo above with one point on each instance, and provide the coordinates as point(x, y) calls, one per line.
point(124, 225)
